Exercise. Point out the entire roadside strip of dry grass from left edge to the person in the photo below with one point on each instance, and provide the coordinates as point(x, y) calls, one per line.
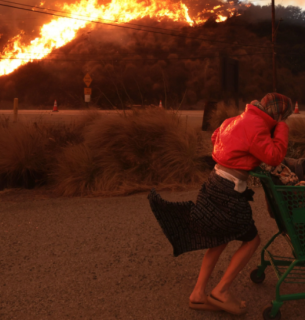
point(104, 156)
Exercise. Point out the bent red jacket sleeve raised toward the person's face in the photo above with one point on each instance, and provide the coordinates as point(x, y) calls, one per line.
point(268, 150)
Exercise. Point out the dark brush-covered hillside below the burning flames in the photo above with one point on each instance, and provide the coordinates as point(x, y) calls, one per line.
point(140, 67)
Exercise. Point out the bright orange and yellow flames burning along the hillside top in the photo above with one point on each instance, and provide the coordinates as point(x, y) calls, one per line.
point(62, 30)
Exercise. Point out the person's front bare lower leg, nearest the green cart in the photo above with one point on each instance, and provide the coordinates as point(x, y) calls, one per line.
point(238, 262)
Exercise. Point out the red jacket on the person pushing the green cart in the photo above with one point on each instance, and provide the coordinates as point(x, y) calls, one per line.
point(244, 142)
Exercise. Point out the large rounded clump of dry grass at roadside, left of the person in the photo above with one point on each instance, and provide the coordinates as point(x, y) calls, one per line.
point(122, 155)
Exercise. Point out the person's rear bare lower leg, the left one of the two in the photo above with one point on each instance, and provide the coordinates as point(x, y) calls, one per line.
point(208, 263)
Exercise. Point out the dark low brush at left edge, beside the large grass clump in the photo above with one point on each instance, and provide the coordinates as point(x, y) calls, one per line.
point(29, 150)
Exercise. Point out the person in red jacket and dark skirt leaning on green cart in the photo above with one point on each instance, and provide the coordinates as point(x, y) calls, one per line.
point(222, 212)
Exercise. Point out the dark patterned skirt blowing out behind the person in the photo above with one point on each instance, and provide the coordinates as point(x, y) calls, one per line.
point(220, 215)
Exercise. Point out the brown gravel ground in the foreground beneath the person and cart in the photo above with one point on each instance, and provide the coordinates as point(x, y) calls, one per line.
point(107, 258)
